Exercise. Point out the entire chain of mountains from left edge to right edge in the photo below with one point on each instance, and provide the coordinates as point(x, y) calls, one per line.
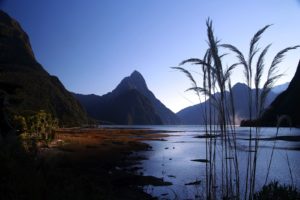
point(28, 88)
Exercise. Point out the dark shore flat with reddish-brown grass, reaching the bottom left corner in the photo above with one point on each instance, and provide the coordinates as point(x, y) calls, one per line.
point(79, 164)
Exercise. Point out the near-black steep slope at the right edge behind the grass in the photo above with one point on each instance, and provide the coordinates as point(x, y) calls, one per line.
point(286, 104)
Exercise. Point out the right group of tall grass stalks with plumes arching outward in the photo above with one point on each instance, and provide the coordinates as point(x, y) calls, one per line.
point(260, 98)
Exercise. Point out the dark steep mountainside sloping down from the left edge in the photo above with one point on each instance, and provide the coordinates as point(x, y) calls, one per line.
point(26, 85)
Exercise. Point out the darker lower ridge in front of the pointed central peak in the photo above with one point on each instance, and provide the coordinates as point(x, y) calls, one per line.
point(127, 108)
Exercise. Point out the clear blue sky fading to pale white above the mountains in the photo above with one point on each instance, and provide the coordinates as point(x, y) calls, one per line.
point(92, 45)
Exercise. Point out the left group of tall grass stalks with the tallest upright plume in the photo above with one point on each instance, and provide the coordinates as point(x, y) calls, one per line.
point(215, 80)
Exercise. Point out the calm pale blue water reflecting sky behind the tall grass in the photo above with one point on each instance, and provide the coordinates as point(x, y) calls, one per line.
point(172, 160)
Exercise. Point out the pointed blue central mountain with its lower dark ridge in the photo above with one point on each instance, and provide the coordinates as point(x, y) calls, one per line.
point(131, 102)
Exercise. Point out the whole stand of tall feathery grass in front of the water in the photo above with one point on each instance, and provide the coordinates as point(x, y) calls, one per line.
point(215, 86)
